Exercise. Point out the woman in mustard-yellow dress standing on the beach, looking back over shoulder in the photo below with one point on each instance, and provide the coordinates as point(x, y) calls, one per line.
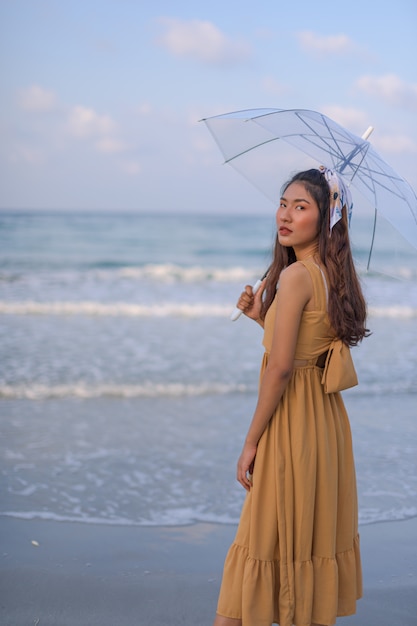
point(295, 558)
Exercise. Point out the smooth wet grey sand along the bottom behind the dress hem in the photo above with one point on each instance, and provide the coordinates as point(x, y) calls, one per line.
point(62, 574)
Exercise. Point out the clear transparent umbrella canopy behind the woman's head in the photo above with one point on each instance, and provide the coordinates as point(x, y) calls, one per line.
point(264, 145)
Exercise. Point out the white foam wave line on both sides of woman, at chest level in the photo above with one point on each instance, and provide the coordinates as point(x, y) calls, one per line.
point(163, 309)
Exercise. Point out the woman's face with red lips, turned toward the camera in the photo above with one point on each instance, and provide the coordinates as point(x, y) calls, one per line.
point(297, 218)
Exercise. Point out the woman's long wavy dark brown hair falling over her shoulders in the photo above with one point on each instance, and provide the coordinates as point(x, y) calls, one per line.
point(346, 305)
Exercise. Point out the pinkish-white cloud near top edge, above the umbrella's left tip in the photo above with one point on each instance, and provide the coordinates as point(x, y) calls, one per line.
point(202, 40)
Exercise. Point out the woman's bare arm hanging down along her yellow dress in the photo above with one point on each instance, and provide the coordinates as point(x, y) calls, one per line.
point(295, 290)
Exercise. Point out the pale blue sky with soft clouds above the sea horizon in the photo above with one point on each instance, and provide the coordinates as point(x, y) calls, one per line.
point(101, 99)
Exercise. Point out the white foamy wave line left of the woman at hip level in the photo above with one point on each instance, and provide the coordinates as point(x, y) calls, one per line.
point(149, 390)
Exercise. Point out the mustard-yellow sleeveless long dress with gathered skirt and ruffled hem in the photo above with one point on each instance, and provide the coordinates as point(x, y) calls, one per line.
point(295, 558)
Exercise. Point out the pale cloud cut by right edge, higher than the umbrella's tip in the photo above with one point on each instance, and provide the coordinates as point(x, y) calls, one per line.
point(391, 89)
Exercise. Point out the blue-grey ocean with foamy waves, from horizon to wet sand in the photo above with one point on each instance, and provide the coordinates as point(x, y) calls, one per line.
point(126, 391)
